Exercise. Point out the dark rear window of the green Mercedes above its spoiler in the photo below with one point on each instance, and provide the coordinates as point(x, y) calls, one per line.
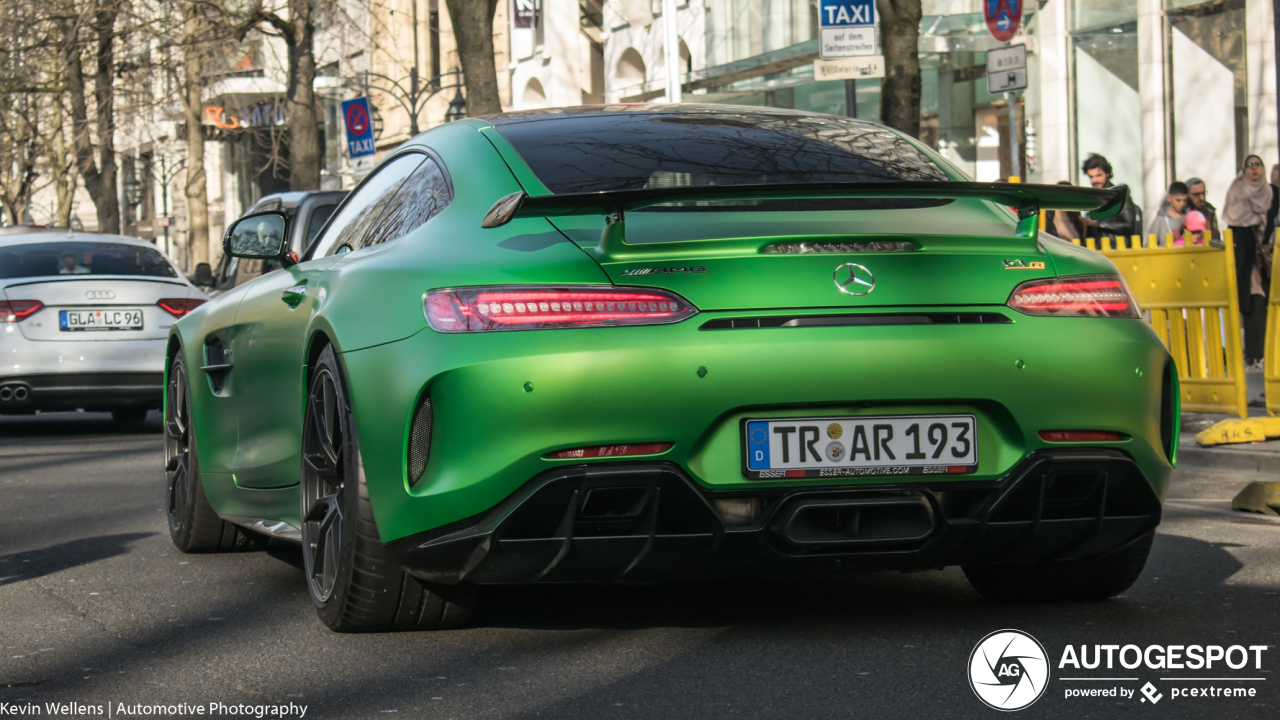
point(630, 151)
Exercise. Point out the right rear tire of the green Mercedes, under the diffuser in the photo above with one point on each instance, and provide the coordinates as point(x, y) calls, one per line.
point(1081, 580)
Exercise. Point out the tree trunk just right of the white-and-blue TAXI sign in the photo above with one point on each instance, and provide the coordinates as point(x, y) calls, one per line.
point(900, 38)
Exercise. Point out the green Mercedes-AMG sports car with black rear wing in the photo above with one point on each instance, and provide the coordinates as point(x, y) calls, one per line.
point(634, 344)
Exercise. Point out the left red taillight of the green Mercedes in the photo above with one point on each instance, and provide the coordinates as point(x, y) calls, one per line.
point(525, 308)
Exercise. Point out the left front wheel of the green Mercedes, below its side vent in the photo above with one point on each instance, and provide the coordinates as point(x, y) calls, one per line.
point(194, 526)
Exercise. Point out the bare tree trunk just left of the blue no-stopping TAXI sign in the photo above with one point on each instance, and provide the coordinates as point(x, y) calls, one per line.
point(299, 37)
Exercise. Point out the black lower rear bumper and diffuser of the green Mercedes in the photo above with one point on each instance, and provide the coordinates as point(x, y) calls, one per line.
point(650, 522)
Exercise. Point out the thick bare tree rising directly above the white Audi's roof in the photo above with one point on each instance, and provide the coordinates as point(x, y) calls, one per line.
point(99, 174)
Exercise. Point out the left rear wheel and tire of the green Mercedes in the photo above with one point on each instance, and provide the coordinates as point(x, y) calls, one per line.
point(354, 582)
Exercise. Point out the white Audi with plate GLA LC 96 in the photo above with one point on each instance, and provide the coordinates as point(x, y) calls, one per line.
point(84, 322)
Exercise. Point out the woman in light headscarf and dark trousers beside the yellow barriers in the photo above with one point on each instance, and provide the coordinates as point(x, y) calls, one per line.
point(1246, 212)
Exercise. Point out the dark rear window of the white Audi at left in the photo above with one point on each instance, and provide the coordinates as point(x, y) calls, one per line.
point(43, 259)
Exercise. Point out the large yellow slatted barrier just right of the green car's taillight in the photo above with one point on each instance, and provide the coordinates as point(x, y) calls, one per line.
point(1190, 294)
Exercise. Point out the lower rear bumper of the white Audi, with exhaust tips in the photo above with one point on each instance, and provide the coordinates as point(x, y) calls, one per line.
point(89, 375)
